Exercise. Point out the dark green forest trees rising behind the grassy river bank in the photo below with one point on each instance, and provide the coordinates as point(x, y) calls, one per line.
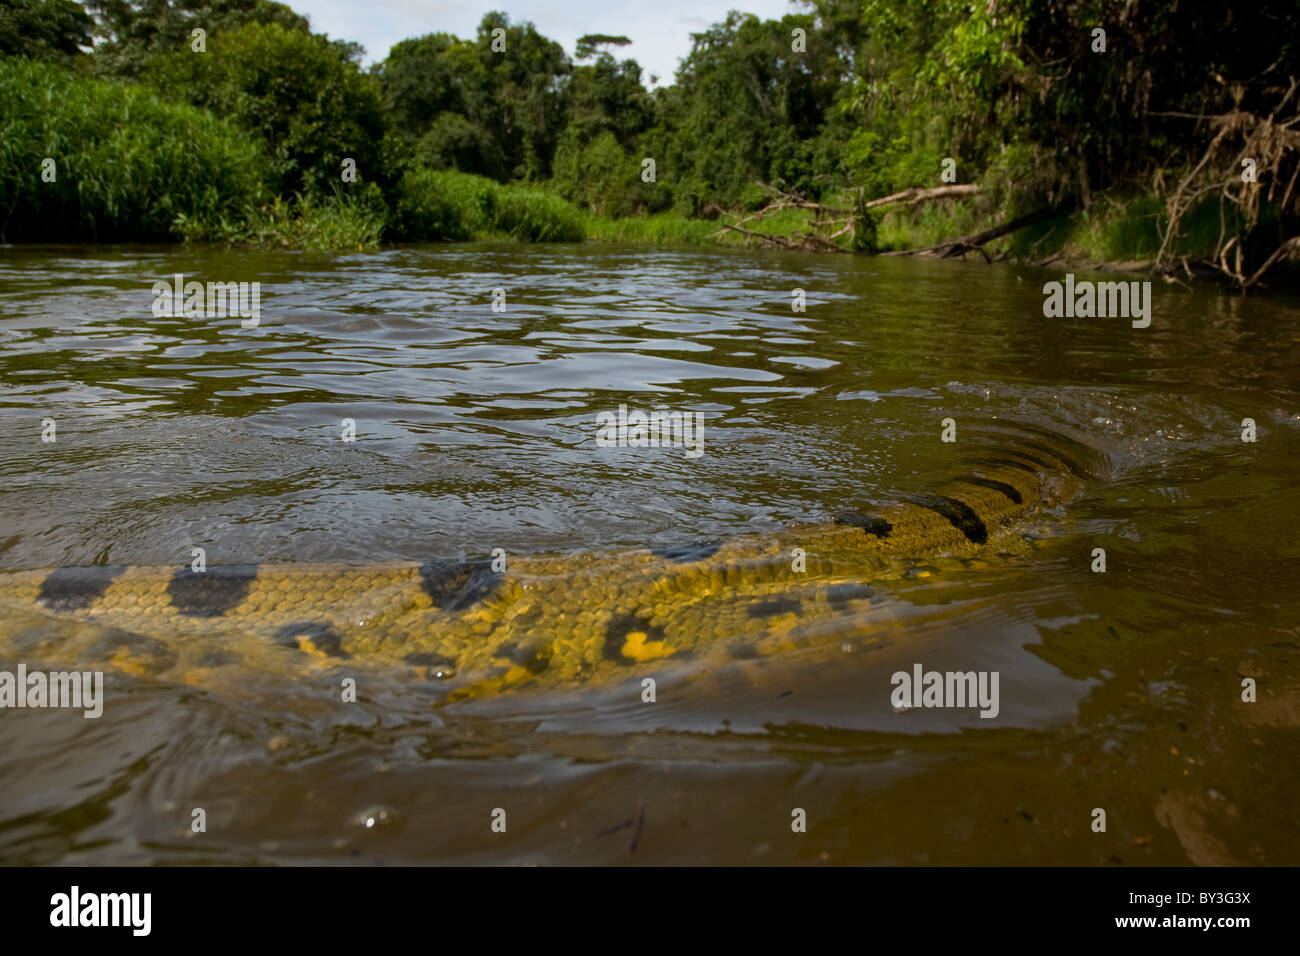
point(847, 98)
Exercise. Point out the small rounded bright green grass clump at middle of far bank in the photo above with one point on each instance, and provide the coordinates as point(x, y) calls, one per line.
point(440, 205)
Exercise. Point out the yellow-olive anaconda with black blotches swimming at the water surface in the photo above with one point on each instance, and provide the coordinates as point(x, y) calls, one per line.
point(545, 620)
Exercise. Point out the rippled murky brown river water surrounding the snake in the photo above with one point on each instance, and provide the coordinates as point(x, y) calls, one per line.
point(1121, 690)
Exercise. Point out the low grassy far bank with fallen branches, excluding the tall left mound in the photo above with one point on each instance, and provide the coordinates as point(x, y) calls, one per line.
point(1115, 236)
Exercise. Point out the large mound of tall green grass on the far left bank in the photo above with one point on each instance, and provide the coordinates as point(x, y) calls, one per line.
point(127, 165)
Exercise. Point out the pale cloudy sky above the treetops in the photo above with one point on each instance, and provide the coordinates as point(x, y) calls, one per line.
point(660, 29)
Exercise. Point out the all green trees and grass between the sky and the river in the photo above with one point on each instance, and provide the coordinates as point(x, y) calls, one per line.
point(1162, 135)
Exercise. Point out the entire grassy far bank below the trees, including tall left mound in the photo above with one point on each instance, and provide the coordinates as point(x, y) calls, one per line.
point(92, 171)
